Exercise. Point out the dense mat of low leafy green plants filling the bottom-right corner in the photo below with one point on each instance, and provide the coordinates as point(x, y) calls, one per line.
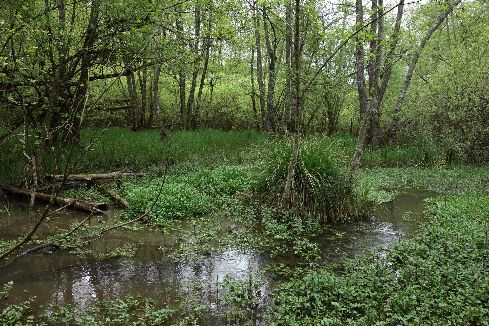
point(438, 277)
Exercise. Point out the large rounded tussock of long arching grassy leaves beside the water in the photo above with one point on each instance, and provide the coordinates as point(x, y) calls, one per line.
point(320, 188)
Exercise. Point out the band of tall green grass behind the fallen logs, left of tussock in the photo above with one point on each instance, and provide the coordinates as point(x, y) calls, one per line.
point(114, 149)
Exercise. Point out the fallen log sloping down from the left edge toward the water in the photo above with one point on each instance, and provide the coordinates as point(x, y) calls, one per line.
point(82, 205)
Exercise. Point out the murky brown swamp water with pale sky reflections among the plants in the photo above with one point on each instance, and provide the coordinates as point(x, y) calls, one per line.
point(62, 278)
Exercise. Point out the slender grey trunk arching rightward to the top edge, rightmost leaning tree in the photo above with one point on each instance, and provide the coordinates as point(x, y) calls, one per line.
point(394, 128)
